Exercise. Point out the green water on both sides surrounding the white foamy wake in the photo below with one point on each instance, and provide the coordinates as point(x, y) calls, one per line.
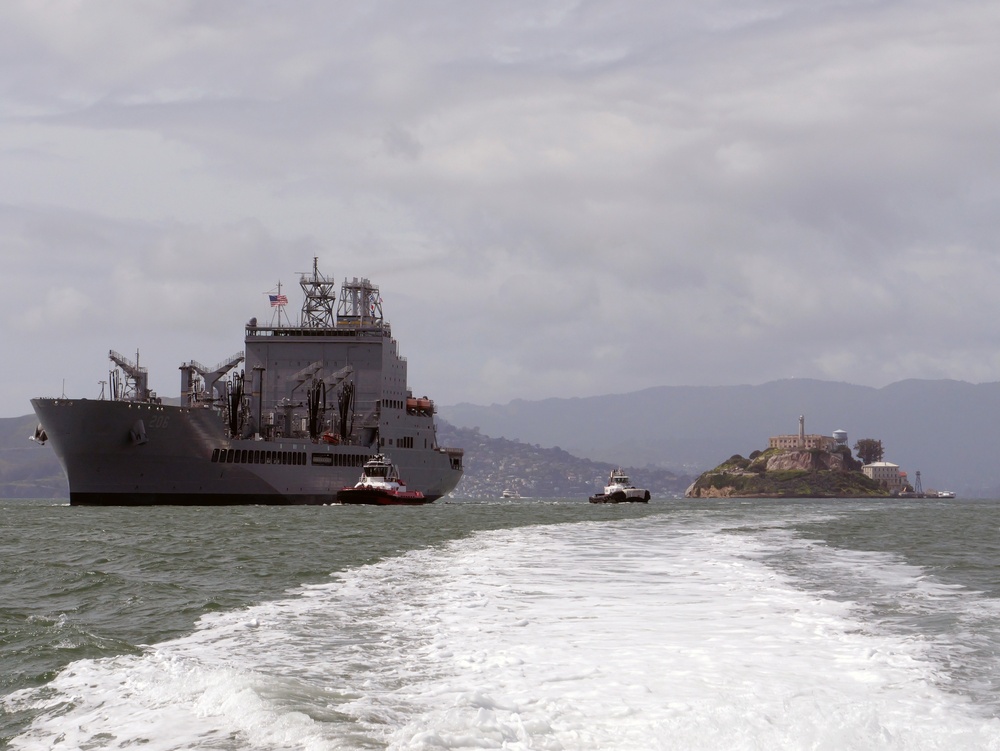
point(85, 585)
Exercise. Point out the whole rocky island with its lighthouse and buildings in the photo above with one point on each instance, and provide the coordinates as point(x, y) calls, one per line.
point(808, 466)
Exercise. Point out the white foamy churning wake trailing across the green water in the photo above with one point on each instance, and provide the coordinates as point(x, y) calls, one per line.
point(673, 631)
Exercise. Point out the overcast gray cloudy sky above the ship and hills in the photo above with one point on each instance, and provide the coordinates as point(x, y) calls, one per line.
point(555, 198)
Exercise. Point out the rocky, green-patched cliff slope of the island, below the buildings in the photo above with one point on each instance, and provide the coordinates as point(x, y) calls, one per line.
point(787, 473)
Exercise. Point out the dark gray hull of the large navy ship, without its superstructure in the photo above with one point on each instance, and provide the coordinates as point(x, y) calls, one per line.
point(118, 453)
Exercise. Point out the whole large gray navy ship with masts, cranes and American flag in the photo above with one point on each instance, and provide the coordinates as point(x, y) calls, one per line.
point(310, 405)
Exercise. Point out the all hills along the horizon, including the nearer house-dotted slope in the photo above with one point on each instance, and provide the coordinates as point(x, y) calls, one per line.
point(665, 436)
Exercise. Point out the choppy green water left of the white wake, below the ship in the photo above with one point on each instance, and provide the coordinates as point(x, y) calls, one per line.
point(81, 582)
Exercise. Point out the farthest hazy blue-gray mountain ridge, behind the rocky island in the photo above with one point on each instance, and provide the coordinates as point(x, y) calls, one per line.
point(947, 430)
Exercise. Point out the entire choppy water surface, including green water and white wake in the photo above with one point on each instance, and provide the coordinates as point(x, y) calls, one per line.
point(518, 625)
